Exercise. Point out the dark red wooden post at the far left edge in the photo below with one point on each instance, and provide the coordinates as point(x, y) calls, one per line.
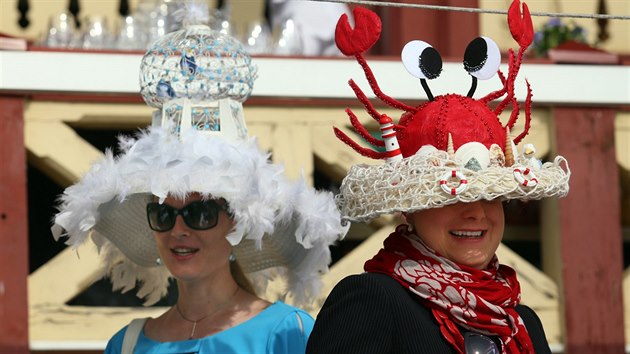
point(13, 229)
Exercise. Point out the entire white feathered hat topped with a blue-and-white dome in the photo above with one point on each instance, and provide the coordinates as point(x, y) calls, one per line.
point(198, 79)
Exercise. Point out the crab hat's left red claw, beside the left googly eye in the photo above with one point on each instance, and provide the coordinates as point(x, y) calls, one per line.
point(367, 30)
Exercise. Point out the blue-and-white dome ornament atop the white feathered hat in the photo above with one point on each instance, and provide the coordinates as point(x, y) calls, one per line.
point(198, 78)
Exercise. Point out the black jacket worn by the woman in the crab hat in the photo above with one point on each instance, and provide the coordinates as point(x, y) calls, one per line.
point(373, 313)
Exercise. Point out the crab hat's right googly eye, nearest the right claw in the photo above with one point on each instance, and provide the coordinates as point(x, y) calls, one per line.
point(482, 58)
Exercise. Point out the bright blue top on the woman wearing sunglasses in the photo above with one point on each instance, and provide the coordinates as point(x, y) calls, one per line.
point(276, 329)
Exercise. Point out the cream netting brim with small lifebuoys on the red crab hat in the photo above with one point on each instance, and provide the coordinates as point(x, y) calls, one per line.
point(416, 183)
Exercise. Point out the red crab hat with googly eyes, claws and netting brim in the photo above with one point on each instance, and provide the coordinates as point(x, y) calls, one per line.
point(453, 148)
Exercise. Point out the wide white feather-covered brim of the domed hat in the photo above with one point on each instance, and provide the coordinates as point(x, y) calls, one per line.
point(278, 223)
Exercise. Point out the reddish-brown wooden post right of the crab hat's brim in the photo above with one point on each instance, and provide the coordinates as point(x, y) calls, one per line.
point(590, 232)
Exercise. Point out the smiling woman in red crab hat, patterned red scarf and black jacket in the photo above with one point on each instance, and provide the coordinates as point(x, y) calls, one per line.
point(437, 286)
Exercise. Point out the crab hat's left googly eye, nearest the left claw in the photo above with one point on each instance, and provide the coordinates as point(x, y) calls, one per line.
point(421, 60)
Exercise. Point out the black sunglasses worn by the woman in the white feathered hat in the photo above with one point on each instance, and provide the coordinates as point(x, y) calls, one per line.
point(198, 215)
